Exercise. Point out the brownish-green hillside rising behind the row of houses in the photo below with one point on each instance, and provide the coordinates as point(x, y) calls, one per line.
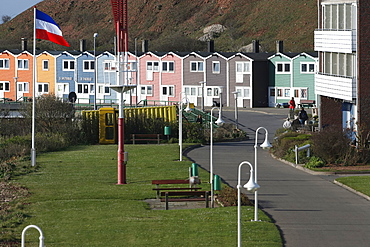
point(174, 24)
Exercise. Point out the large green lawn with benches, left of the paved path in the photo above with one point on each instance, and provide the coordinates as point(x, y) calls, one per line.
point(76, 202)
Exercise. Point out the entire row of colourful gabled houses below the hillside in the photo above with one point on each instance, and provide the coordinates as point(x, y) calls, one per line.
point(257, 79)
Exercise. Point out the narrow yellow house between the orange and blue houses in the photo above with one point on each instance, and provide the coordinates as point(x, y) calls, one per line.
point(46, 74)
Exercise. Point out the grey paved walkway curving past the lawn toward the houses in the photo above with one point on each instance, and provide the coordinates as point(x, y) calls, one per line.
point(310, 210)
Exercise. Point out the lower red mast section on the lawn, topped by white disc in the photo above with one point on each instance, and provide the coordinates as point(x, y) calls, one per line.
point(122, 155)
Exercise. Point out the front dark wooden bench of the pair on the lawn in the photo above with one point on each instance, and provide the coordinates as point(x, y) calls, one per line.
point(200, 196)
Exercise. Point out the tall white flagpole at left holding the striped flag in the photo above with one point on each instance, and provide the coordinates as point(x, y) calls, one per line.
point(33, 149)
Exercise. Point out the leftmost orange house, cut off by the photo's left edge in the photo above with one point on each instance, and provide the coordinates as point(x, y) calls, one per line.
point(7, 78)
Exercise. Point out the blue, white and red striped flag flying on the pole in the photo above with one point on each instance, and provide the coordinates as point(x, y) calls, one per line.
point(47, 29)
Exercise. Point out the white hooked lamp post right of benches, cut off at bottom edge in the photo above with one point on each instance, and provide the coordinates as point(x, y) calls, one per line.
point(250, 186)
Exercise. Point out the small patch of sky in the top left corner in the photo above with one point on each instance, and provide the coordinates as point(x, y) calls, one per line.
point(15, 7)
